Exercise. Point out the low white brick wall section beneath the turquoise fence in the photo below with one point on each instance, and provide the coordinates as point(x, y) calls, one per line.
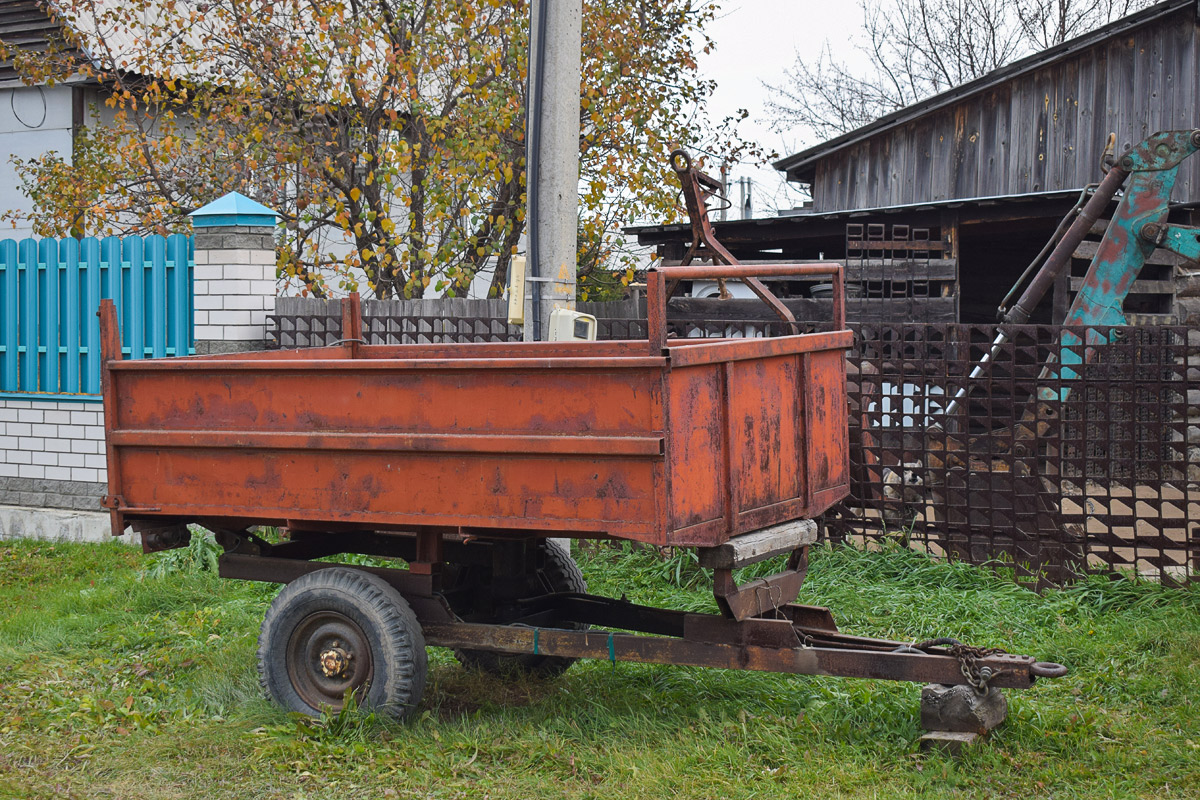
point(53, 441)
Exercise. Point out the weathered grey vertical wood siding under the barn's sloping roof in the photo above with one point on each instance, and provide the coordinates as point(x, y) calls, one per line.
point(1040, 131)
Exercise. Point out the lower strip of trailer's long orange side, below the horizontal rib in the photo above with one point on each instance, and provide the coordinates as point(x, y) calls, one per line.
point(586, 492)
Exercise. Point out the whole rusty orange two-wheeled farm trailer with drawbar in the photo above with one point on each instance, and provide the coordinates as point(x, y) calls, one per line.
point(461, 460)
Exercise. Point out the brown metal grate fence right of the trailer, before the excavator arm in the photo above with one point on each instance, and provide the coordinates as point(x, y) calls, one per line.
point(1102, 474)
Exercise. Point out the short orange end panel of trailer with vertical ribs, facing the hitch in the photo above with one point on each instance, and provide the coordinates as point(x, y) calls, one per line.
point(753, 428)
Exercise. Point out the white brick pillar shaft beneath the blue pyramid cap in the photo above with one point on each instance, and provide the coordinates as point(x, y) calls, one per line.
point(235, 293)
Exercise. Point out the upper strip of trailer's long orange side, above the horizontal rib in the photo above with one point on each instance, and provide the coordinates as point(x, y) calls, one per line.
point(380, 395)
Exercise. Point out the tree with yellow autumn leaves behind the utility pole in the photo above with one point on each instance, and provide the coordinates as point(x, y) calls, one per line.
point(389, 135)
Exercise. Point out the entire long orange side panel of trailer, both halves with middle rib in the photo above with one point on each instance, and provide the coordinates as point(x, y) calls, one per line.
point(379, 443)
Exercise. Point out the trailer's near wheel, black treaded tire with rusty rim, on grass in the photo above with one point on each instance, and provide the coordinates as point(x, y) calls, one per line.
point(339, 629)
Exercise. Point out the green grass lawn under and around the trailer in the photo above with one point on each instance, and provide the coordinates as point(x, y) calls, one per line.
point(121, 679)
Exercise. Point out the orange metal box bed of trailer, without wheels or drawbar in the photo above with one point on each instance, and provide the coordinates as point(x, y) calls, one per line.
point(689, 446)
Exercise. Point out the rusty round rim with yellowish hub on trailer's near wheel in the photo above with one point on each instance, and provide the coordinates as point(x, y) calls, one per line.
point(328, 655)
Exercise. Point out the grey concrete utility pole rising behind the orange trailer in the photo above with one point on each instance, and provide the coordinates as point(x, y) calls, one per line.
point(553, 145)
